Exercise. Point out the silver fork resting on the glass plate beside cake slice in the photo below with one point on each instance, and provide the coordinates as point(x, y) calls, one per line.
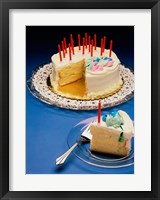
point(85, 137)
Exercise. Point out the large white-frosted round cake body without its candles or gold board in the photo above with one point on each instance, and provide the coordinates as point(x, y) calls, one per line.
point(101, 73)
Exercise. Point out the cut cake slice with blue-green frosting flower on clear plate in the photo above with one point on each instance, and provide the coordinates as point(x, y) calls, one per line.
point(112, 134)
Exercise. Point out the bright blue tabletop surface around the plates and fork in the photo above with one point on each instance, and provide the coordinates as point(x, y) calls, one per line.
point(47, 128)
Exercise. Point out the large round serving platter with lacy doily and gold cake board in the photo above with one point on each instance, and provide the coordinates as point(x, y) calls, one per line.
point(66, 97)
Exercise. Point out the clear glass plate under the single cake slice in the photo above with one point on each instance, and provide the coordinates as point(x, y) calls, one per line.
point(97, 159)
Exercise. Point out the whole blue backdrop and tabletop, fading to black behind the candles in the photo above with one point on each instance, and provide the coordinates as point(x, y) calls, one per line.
point(47, 126)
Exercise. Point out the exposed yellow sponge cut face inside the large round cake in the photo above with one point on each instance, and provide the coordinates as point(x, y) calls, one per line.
point(71, 73)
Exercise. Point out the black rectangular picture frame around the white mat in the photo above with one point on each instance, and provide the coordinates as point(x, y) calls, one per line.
point(5, 5)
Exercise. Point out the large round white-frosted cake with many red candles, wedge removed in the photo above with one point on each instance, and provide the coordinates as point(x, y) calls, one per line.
point(85, 71)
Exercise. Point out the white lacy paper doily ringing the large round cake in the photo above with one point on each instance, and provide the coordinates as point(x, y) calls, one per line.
point(38, 86)
